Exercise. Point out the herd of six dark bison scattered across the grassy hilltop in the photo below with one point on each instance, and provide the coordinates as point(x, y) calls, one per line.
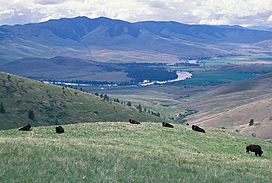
point(252, 147)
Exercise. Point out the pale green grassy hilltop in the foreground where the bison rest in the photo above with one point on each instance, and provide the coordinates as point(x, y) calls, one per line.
point(121, 152)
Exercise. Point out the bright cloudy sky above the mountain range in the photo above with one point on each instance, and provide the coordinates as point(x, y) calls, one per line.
point(240, 12)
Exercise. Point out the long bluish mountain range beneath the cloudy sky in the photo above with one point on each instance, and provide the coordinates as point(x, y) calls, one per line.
point(109, 39)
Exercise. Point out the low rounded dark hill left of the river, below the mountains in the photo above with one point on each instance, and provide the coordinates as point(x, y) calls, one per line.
point(66, 69)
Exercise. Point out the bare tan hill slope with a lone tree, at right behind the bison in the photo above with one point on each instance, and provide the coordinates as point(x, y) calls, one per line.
point(233, 105)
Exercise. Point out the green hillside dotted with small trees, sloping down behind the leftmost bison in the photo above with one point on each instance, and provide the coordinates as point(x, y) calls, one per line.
point(56, 105)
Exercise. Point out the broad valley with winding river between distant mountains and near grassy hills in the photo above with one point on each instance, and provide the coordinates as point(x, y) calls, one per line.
point(207, 89)
